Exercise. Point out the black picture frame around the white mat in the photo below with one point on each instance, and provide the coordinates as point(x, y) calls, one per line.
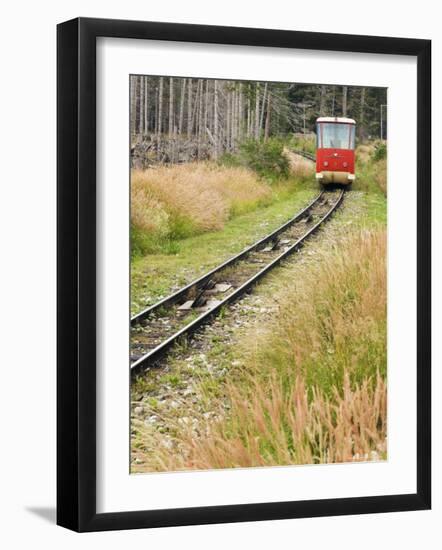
point(76, 274)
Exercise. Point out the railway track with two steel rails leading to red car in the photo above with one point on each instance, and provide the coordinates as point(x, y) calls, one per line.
point(159, 327)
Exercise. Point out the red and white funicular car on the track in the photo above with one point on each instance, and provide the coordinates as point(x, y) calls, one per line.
point(335, 150)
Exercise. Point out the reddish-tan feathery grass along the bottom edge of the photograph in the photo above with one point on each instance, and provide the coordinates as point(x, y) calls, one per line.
point(281, 426)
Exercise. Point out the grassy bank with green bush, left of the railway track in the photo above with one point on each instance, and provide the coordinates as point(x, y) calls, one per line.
point(188, 218)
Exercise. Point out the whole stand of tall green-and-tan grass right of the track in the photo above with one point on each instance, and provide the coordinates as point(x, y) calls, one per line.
point(313, 389)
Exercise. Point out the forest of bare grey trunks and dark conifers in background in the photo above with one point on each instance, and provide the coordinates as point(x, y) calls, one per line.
point(175, 120)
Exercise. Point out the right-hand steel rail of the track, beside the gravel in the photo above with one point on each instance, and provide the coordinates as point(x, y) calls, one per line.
point(154, 355)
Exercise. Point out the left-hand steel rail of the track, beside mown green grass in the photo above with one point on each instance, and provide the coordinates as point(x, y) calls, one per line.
point(181, 293)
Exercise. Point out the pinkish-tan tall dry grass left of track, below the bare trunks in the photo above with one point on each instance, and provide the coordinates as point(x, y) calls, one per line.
point(181, 200)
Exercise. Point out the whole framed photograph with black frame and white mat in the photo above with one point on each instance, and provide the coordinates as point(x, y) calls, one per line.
point(243, 274)
